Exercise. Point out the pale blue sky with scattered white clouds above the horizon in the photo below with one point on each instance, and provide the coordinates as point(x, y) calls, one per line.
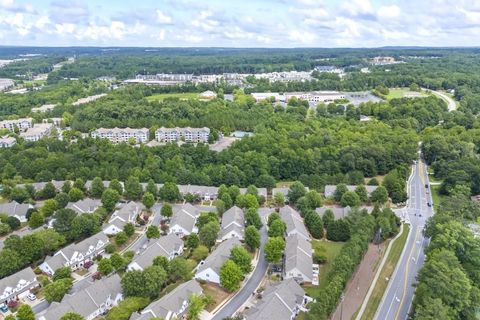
point(240, 23)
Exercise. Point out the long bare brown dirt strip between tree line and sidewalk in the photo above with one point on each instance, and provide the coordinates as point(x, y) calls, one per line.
point(358, 285)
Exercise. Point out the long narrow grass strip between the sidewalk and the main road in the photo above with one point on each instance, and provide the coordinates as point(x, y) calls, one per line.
point(386, 272)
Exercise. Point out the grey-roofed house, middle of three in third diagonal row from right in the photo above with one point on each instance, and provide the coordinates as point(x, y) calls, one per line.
point(168, 246)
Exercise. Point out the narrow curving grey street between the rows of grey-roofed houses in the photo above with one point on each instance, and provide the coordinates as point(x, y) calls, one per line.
point(246, 291)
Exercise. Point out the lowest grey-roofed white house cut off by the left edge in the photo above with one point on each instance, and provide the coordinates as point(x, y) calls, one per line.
point(17, 285)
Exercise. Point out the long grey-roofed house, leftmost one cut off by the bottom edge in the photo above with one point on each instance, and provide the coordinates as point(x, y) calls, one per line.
point(90, 303)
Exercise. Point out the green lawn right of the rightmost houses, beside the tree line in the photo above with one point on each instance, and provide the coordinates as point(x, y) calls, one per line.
point(331, 250)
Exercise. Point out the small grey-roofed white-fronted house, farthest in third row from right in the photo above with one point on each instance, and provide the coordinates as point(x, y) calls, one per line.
point(183, 220)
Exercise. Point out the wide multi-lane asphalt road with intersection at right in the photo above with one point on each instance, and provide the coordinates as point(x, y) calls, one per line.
point(398, 297)
